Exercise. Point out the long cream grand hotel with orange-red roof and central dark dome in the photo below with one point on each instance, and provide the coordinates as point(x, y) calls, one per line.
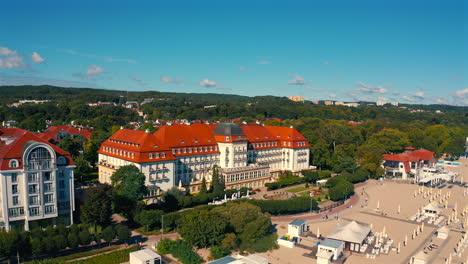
point(248, 155)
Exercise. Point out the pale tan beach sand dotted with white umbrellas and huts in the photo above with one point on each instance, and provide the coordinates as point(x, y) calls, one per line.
point(389, 195)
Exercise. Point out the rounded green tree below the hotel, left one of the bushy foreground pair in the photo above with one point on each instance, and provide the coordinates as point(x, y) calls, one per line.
point(202, 228)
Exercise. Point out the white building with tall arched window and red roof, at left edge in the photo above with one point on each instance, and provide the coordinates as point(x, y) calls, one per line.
point(36, 182)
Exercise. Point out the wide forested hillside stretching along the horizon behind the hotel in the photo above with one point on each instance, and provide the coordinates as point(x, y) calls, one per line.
point(335, 144)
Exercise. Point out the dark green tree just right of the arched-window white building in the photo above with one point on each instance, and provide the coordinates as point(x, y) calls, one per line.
point(97, 206)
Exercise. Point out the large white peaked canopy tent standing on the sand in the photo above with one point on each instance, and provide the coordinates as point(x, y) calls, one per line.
point(350, 232)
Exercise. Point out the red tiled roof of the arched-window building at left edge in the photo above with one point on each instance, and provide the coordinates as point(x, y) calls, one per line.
point(14, 150)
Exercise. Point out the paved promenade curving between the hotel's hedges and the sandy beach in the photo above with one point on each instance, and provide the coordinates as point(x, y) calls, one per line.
point(307, 216)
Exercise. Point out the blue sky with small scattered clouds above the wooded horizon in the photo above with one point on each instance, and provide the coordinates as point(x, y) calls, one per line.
point(407, 51)
